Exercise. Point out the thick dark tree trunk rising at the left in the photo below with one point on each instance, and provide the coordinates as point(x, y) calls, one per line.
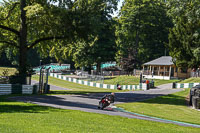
point(23, 44)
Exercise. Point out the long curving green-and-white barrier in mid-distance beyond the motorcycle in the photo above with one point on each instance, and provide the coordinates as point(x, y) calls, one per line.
point(141, 86)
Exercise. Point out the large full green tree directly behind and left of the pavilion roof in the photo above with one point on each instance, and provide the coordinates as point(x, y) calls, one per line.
point(142, 31)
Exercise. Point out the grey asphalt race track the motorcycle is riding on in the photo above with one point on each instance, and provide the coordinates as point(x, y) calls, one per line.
point(89, 102)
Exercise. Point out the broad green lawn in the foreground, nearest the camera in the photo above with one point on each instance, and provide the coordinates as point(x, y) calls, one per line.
point(18, 117)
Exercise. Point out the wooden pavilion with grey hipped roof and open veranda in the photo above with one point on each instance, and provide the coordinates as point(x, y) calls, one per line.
point(164, 68)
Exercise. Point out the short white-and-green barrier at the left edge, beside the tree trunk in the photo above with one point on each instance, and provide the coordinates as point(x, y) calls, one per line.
point(6, 89)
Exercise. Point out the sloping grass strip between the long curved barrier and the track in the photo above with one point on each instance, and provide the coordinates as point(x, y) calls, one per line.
point(75, 88)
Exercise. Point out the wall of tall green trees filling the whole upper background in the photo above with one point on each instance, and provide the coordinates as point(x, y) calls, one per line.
point(85, 32)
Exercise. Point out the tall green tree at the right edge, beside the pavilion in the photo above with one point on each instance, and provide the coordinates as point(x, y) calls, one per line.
point(184, 37)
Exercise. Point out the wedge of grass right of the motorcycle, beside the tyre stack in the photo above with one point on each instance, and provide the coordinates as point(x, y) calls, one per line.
point(171, 107)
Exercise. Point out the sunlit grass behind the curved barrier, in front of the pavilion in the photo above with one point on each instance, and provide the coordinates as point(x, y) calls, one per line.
point(132, 80)
